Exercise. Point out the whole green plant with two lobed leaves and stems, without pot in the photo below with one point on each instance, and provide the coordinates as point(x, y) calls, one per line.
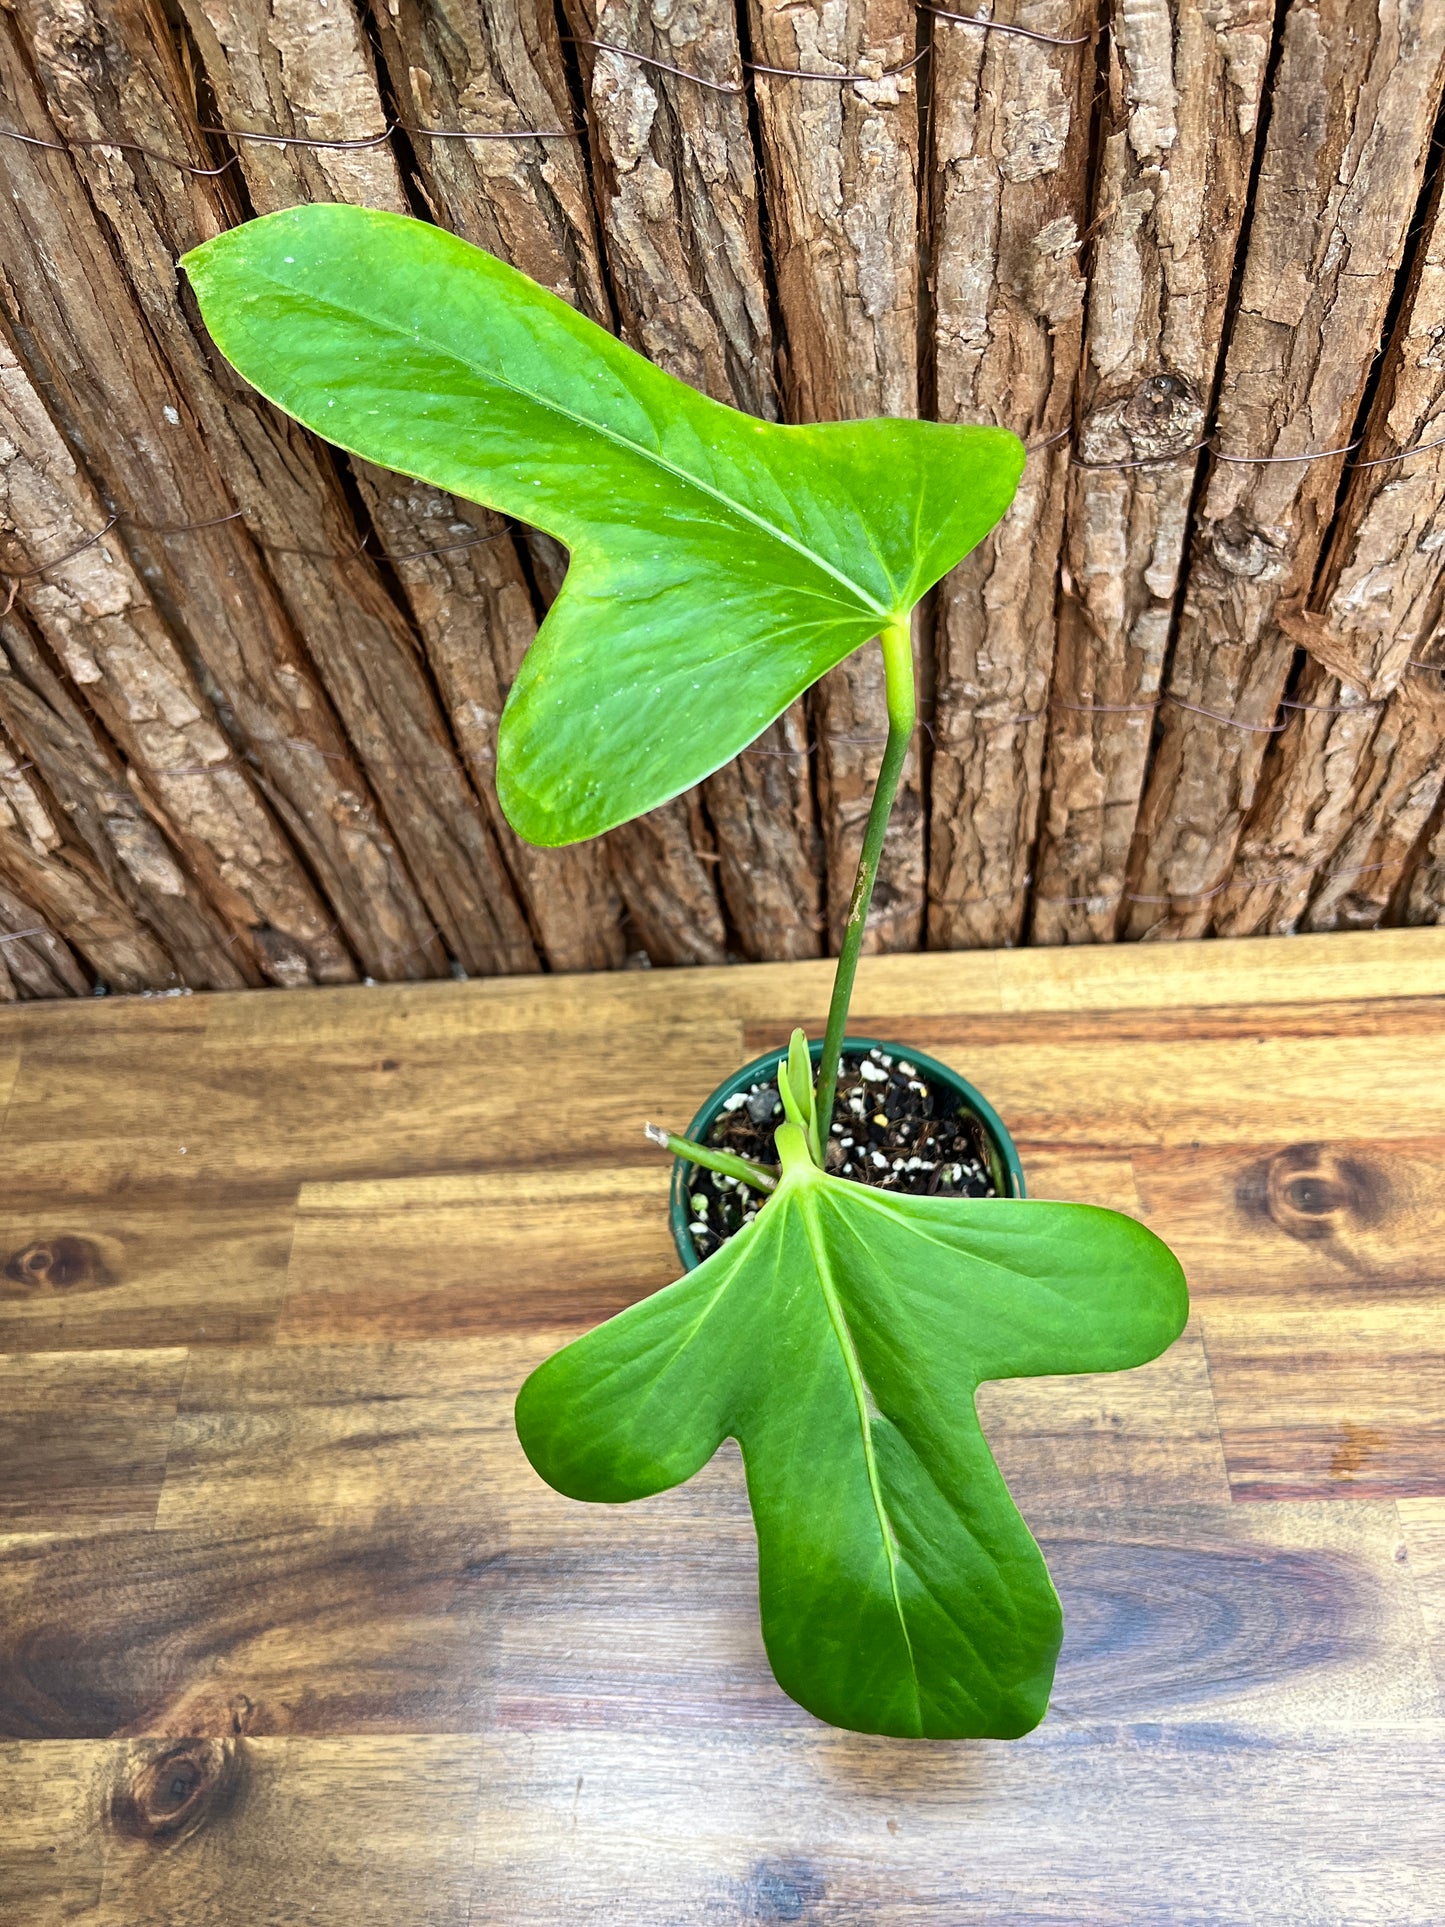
point(720, 566)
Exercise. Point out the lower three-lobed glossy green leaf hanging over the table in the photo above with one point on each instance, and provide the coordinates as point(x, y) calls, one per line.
point(841, 1340)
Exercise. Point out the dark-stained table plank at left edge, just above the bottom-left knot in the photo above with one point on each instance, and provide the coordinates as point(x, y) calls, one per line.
point(348, 1627)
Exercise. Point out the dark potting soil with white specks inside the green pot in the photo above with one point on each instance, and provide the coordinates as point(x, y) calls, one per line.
point(893, 1128)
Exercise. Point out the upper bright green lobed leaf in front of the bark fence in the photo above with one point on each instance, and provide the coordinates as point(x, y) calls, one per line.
point(720, 564)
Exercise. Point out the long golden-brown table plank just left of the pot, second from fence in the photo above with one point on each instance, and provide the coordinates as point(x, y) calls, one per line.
point(369, 1099)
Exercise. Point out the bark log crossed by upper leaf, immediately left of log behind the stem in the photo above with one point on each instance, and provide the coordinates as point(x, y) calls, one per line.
point(679, 211)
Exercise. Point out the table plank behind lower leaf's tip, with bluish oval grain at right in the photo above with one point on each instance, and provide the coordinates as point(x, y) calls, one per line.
point(1217, 1616)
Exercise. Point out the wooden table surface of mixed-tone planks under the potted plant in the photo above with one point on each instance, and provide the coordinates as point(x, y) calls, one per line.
point(290, 1633)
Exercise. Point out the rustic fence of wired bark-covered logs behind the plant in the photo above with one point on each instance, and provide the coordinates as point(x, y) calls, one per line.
point(1194, 253)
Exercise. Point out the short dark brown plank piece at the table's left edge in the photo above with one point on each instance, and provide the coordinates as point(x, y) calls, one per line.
point(84, 1437)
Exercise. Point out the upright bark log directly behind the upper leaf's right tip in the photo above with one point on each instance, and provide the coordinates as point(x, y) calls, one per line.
point(1011, 186)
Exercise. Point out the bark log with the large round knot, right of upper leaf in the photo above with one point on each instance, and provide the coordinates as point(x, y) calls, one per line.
point(1182, 115)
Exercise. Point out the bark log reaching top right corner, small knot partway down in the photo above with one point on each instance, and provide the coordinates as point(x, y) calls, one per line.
point(1355, 99)
